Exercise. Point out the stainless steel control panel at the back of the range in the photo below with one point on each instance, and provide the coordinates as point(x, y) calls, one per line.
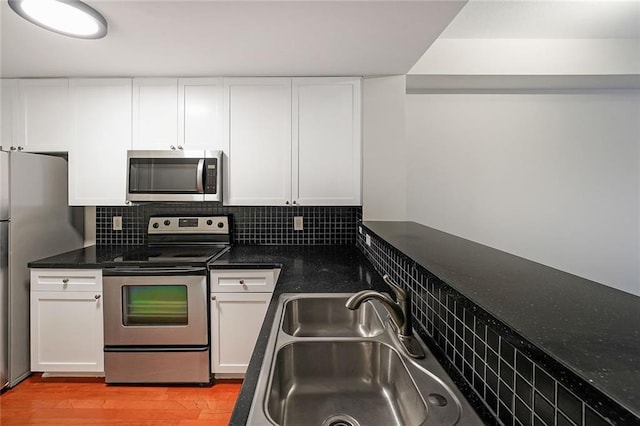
point(188, 225)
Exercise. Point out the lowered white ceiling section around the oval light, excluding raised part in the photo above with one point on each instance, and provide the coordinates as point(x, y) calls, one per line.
point(231, 38)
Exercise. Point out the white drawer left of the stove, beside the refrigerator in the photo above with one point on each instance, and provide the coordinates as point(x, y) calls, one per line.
point(66, 280)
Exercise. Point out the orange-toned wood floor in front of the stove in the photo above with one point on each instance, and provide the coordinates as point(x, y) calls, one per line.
point(88, 401)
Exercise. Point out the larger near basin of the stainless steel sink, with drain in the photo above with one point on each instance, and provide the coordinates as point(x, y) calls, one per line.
point(361, 382)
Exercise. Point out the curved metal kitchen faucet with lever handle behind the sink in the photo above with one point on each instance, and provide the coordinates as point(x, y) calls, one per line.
point(399, 313)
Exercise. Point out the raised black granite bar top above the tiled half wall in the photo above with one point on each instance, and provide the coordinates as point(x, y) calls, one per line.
point(591, 329)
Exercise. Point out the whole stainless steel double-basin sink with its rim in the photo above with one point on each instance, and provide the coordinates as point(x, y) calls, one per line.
point(327, 365)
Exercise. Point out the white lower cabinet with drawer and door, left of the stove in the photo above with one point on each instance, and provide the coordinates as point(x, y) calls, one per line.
point(66, 321)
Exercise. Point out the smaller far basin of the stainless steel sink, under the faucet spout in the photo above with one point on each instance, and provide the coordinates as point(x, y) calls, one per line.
point(326, 316)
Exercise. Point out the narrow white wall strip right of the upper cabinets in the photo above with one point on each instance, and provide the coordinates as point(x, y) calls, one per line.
point(384, 167)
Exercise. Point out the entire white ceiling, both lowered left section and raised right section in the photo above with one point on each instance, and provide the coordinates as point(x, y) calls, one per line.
point(293, 38)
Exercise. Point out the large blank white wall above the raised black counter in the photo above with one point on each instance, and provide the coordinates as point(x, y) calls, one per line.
point(554, 178)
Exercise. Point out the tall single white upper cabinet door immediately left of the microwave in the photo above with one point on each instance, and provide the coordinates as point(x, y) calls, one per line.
point(101, 138)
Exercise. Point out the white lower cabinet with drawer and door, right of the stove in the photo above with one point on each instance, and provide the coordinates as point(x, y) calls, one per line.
point(239, 302)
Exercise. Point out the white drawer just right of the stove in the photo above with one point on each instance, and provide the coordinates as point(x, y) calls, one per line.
point(244, 280)
